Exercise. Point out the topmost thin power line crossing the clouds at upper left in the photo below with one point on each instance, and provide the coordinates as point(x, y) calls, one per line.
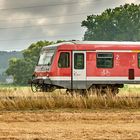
point(48, 5)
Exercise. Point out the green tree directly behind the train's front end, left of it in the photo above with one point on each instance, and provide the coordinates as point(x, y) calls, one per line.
point(22, 69)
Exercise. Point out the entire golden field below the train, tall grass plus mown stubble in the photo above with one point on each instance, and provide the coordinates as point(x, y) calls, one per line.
point(58, 116)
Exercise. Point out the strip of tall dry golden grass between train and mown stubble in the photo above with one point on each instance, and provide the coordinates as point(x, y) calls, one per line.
point(24, 99)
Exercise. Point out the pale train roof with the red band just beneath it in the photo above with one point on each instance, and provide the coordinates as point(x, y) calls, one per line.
point(95, 45)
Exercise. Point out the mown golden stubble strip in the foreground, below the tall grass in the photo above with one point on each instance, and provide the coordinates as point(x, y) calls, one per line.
point(62, 125)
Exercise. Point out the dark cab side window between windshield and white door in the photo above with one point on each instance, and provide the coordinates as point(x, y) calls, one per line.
point(64, 60)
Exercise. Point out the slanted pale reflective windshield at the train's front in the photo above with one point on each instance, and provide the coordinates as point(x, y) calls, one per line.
point(46, 57)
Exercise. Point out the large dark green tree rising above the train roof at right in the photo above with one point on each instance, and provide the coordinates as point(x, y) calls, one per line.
point(118, 24)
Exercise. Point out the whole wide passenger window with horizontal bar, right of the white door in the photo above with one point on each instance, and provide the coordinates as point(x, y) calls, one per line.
point(104, 60)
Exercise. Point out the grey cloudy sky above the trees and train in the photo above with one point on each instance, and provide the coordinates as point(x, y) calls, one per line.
point(22, 23)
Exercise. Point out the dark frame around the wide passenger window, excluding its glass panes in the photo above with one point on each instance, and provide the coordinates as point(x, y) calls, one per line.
point(105, 57)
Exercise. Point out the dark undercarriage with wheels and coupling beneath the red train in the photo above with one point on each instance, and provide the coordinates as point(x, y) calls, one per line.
point(98, 89)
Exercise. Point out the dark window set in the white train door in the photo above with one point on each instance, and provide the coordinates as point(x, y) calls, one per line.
point(79, 61)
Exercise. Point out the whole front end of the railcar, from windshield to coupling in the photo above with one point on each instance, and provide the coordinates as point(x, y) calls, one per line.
point(40, 79)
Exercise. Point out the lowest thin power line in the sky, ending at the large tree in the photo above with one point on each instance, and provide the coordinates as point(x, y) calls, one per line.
point(66, 35)
